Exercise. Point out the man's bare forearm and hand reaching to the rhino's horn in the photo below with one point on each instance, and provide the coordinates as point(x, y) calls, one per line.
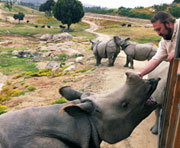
point(152, 64)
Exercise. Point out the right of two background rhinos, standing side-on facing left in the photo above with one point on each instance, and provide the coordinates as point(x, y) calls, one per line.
point(136, 51)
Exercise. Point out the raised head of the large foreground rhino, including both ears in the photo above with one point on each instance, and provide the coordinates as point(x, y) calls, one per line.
point(115, 114)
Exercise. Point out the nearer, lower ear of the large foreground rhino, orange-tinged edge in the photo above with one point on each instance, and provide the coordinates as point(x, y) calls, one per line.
point(78, 109)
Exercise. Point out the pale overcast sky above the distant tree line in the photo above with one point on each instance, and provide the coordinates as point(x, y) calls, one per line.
point(125, 3)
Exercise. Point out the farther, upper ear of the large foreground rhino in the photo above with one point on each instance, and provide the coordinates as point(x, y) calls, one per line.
point(69, 93)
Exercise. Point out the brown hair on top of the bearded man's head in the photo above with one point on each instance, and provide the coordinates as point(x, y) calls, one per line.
point(163, 17)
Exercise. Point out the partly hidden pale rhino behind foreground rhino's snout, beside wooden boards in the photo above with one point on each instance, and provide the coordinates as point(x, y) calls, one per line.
point(162, 72)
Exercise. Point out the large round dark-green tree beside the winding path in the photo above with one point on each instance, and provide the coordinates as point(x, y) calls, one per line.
point(68, 11)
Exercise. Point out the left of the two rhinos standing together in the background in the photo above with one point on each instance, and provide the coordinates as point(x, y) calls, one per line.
point(105, 49)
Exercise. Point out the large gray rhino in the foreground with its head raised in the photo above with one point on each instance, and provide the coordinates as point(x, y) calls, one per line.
point(84, 121)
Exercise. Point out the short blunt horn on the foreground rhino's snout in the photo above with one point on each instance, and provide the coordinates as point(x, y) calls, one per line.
point(132, 78)
